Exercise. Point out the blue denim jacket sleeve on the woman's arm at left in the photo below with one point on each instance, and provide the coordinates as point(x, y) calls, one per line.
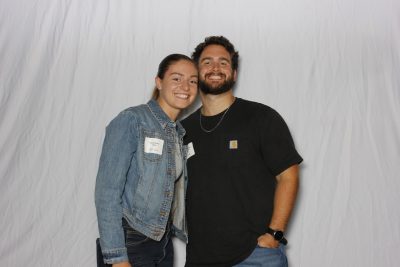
point(118, 149)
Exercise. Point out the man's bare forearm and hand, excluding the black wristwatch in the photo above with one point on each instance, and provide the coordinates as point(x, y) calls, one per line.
point(284, 200)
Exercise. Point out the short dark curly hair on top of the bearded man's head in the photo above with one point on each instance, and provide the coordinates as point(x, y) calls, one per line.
point(217, 40)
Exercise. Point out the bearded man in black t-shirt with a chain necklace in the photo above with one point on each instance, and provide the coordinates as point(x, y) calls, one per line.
point(242, 168)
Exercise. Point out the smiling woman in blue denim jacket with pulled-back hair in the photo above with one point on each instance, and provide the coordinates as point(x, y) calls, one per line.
point(140, 183)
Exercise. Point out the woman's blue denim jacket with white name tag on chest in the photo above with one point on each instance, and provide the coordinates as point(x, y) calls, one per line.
point(136, 177)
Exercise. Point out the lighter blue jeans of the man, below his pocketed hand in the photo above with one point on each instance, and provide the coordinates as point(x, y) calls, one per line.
point(266, 257)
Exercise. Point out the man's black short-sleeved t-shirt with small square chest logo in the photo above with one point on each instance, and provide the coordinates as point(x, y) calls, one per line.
point(232, 180)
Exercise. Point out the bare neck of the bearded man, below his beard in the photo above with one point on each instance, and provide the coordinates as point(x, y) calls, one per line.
point(214, 104)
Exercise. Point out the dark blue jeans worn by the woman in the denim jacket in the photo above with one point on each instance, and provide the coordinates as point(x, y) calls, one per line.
point(143, 251)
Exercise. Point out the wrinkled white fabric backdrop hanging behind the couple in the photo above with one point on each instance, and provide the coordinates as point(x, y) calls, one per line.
point(330, 67)
